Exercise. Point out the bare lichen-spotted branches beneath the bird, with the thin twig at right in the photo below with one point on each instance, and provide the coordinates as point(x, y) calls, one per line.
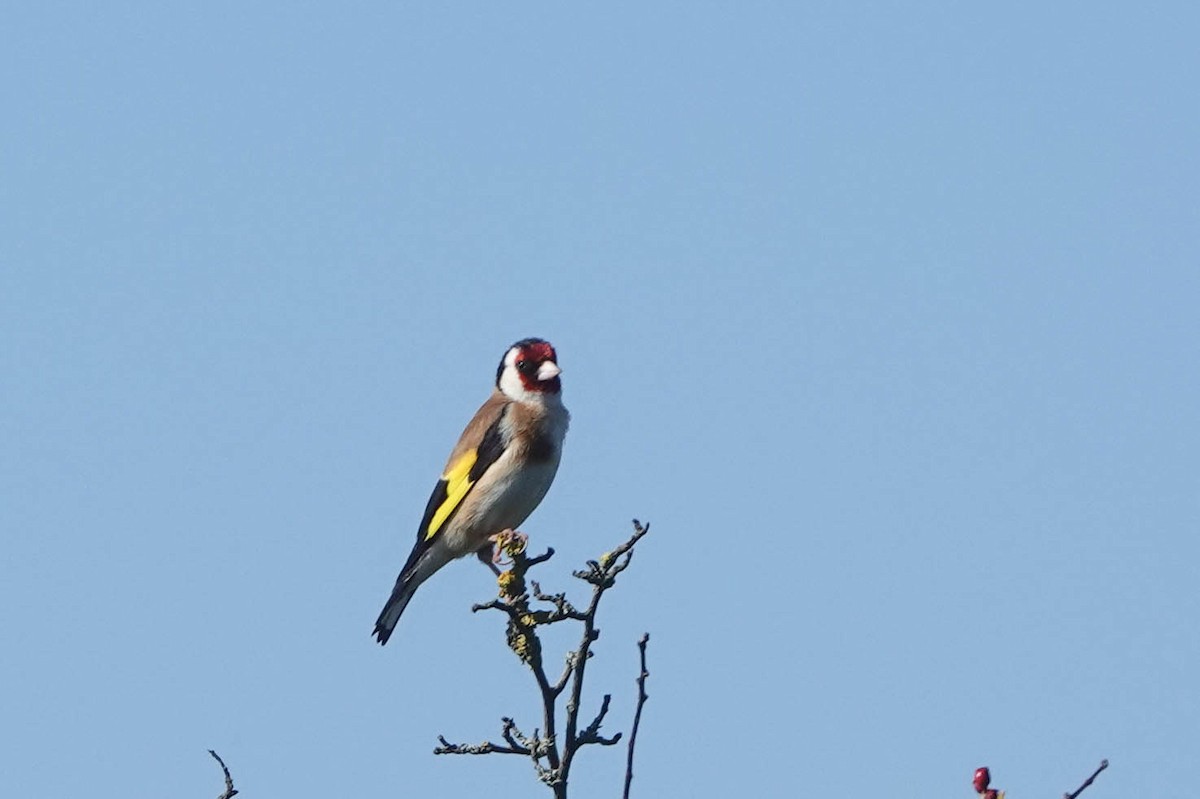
point(527, 609)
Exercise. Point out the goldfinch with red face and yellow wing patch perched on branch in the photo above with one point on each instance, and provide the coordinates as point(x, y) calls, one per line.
point(496, 476)
